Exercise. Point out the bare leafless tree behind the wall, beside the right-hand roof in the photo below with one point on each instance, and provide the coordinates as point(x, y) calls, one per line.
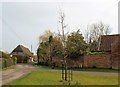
point(94, 31)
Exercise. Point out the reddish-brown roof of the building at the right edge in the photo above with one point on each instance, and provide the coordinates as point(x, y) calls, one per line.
point(107, 41)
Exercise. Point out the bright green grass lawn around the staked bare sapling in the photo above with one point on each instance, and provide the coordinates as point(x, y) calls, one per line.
point(53, 78)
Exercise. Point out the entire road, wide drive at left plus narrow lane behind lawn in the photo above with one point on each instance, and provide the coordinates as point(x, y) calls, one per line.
point(20, 70)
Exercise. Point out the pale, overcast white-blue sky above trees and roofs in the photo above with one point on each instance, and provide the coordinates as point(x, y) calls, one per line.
point(22, 22)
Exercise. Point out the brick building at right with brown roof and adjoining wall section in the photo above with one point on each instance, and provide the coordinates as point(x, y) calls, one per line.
point(110, 45)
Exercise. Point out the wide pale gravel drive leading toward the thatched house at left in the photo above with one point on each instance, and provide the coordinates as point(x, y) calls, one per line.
point(16, 72)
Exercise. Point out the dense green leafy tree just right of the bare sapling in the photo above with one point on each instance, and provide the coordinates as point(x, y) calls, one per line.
point(76, 45)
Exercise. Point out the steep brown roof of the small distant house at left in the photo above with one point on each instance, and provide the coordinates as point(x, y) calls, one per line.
point(21, 50)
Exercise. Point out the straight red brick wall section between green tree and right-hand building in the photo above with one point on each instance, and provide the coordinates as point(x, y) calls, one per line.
point(98, 61)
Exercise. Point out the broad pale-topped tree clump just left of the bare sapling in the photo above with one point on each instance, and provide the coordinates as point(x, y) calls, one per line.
point(50, 45)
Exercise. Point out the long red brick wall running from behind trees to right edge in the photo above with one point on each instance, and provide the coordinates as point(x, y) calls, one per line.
point(99, 61)
